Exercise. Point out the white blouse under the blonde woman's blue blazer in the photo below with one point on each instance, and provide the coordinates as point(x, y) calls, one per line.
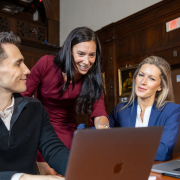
point(146, 117)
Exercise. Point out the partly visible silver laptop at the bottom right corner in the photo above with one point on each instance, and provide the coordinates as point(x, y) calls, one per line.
point(171, 168)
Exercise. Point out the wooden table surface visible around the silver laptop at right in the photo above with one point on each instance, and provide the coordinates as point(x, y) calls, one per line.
point(159, 176)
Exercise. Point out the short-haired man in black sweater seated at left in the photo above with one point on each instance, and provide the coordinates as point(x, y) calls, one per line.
point(24, 123)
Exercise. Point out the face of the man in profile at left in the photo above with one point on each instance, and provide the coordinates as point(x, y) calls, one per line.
point(13, 71)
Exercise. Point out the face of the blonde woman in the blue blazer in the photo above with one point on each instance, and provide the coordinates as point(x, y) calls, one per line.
point(148, 81)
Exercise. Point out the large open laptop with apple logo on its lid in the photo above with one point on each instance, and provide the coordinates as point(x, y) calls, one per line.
point(113, 154)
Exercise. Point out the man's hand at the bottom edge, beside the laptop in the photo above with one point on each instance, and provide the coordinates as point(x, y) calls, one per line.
point(40, 177)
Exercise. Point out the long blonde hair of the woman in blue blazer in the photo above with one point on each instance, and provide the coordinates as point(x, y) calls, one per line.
point(166, 94)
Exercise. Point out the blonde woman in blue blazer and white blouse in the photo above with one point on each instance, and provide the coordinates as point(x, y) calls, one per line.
point(150, 104)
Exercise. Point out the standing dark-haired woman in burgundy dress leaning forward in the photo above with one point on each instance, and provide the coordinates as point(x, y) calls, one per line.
point(68, 83)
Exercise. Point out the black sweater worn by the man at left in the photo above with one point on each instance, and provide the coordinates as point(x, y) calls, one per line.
point(30, 130)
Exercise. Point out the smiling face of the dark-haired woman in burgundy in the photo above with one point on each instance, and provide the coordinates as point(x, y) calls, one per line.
point(84, 55)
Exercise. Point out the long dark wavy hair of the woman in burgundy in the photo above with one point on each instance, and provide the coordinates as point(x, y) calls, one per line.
point(92, 87)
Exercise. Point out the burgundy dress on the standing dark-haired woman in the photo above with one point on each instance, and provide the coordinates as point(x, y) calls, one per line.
point(48, 80)
